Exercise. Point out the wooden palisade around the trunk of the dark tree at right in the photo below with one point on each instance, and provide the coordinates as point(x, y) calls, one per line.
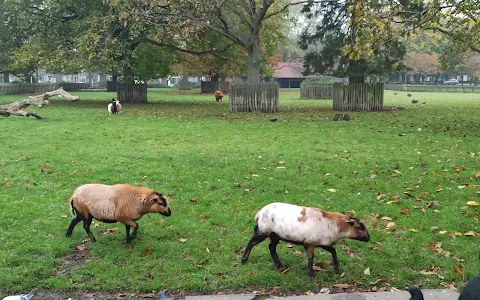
point(358, 96)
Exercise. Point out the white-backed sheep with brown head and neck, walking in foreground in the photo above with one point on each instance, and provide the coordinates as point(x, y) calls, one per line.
point(310, 227)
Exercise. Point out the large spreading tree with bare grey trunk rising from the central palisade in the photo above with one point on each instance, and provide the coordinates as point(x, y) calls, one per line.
point(254, 26)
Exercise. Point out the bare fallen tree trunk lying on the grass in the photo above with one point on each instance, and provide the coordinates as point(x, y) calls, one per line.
point(18, 108)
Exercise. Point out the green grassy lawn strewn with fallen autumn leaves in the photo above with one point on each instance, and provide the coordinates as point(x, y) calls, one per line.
point(409, 174)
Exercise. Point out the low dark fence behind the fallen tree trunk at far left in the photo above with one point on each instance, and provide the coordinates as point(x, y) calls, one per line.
point(27, 88)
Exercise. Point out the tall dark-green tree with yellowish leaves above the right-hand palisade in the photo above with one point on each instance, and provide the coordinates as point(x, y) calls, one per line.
point(336, 43)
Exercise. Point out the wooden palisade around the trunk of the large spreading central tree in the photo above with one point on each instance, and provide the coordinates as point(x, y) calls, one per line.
point(254, 97)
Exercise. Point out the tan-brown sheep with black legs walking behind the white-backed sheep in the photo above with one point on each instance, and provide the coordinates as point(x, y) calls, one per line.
point(117, 203)
